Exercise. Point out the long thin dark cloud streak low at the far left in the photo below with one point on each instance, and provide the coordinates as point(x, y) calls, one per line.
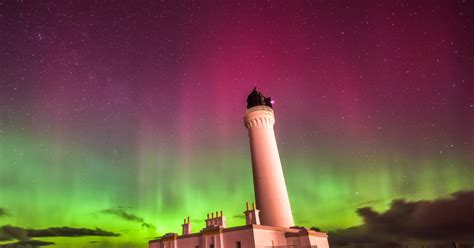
point(23, 234)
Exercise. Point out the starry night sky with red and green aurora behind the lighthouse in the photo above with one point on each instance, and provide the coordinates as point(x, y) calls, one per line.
point(120, 118)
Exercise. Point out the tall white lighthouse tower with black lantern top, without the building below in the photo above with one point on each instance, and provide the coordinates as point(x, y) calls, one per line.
point(269, 183)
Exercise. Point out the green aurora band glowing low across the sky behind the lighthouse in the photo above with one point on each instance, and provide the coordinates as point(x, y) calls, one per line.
point(44, 183)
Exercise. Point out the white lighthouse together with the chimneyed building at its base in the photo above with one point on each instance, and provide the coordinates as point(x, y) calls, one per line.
point(271, 225)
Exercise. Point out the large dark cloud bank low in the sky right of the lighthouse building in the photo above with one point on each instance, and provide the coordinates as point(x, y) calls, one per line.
point(440, 220)
